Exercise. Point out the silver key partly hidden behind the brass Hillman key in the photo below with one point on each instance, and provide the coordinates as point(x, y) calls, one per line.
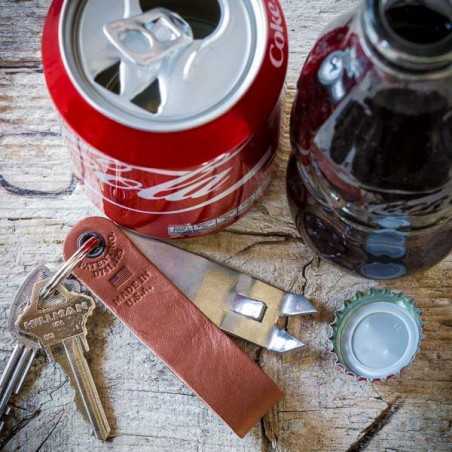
point(21, 359)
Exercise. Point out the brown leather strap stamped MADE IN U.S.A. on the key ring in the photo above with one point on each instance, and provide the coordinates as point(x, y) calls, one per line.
point(165, 320)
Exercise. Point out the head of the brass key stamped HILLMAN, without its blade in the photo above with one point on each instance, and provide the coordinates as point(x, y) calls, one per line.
point(60, 316)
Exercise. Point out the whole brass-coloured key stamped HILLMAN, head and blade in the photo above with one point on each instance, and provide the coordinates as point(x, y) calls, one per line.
point(59, 323)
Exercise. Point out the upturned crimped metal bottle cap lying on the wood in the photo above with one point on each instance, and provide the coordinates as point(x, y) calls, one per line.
point(376, 334)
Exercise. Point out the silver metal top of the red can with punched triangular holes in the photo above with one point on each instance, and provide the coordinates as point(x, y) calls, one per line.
point(163, 69)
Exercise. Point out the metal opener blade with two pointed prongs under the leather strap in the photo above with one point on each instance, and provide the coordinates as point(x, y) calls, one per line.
point(239, 304)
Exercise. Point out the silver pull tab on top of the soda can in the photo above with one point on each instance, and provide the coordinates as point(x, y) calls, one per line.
point(148, 38)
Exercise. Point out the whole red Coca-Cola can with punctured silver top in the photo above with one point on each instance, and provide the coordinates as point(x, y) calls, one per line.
point(170, 109)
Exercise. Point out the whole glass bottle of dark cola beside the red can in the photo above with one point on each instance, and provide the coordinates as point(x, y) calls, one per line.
point(369, 181)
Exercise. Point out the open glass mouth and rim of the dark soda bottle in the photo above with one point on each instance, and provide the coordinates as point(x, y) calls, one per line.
point(410, 34)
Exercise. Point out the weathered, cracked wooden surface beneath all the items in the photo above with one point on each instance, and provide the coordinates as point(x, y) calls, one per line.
point(149, 409)
